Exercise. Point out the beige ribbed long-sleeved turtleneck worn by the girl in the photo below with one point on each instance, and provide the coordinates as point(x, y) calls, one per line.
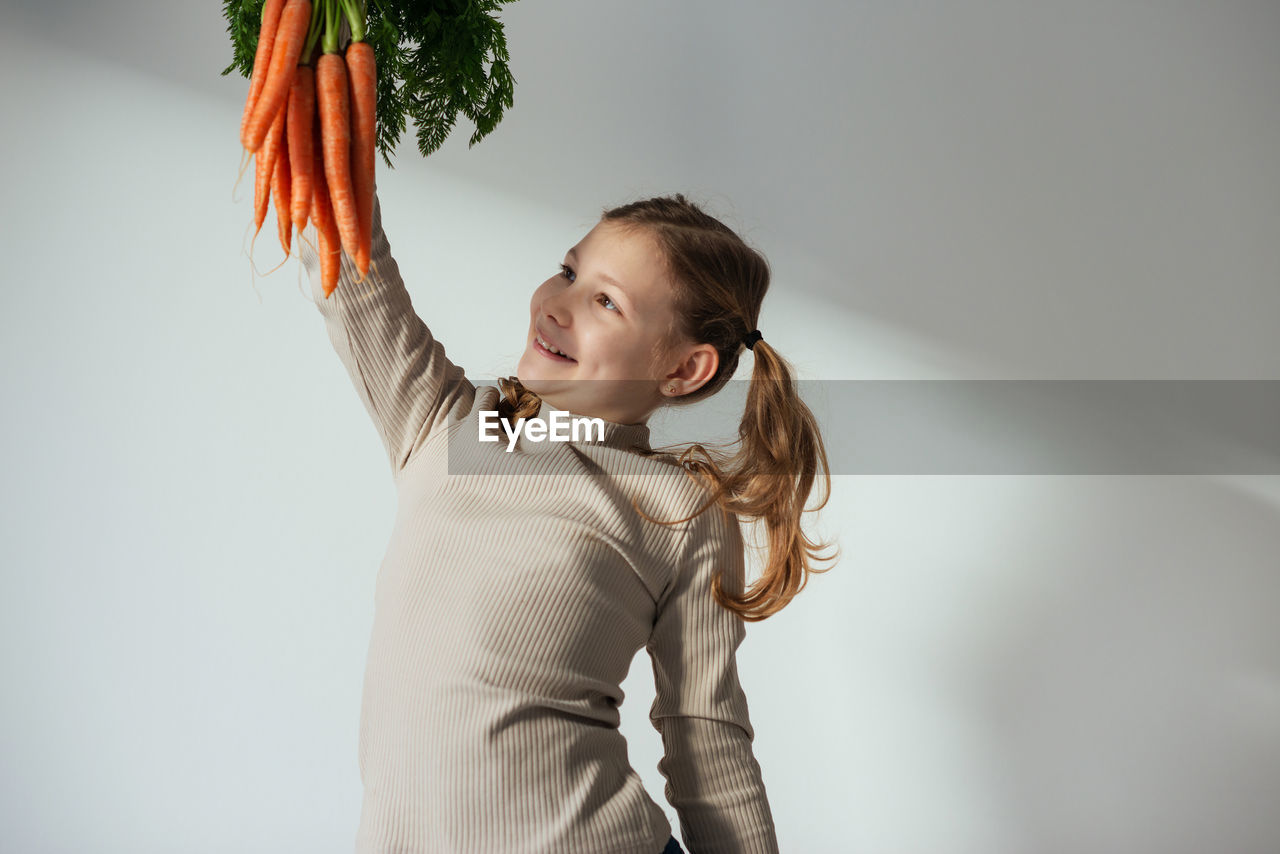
point(515, 592)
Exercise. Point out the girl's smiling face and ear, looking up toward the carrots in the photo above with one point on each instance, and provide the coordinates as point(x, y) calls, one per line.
point(610, 312)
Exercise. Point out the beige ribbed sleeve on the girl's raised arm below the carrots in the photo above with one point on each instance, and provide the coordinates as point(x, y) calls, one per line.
point(400, 371)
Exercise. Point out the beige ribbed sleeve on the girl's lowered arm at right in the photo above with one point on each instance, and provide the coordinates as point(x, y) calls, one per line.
point(714, 779)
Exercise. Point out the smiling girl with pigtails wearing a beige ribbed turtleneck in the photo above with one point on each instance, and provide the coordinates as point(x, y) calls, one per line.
point(524, 574)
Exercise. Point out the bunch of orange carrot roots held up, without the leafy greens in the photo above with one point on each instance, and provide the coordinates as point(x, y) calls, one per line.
point(310, 126)
